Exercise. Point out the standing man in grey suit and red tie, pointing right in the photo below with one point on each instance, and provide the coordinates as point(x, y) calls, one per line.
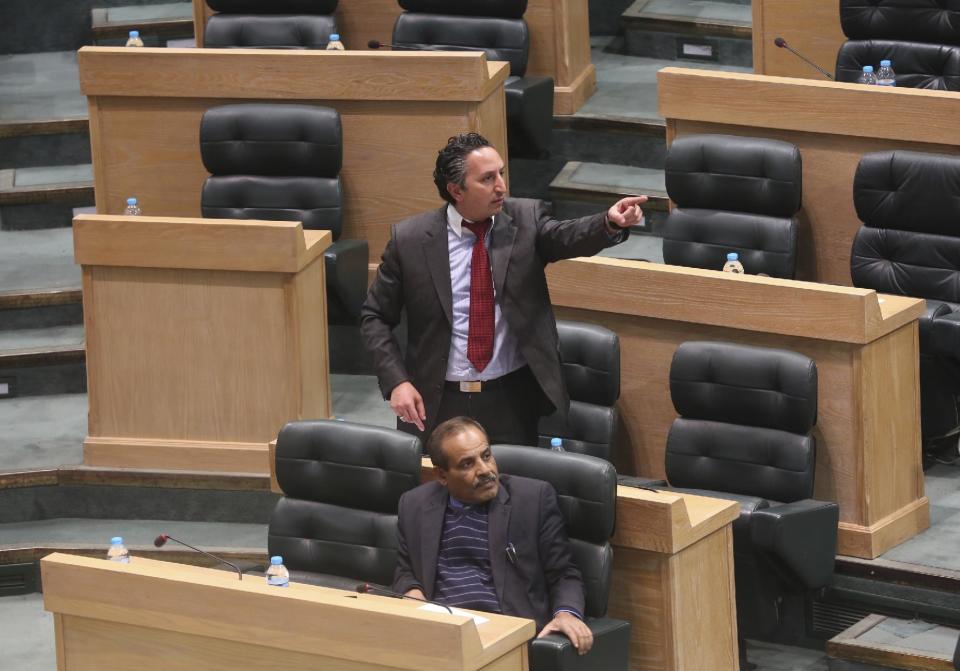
point(482, 338)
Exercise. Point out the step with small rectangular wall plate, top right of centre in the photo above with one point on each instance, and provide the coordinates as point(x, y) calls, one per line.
point(690, 30)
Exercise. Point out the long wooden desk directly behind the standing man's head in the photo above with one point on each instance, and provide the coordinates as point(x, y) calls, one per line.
point(397, 110)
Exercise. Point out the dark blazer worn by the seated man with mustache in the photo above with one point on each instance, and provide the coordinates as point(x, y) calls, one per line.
point(525, 513)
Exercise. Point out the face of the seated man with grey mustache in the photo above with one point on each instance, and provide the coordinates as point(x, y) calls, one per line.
point(471, 476)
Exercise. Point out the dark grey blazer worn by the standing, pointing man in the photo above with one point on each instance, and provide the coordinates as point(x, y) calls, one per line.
point(414, 273)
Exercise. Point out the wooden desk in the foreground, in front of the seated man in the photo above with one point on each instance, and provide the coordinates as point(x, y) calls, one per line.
point(155, 615)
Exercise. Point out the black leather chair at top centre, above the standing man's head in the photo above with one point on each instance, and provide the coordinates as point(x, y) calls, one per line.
point(496, 27)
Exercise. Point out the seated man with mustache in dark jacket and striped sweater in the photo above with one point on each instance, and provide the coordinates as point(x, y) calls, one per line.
point(476, 539)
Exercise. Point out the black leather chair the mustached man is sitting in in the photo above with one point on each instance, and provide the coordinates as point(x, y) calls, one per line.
point(587, 493)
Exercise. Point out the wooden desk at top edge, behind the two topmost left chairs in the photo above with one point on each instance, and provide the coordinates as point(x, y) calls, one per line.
point(559, 40)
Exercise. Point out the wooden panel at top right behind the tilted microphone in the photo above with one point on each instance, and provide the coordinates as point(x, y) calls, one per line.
point(812, 27)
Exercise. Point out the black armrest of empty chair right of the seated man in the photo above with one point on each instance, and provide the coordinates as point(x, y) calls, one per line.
point(803, 535)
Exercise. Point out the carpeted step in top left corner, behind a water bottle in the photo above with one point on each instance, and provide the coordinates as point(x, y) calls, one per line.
point(157, 23)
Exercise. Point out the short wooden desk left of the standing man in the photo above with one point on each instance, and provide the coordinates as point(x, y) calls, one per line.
point(204, 337)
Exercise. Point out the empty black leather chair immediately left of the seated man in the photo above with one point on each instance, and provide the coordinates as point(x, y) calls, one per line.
point(337, 522)
